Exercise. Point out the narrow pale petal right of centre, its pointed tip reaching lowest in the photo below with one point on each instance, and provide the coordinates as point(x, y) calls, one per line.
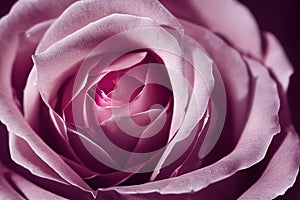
point(201, 90)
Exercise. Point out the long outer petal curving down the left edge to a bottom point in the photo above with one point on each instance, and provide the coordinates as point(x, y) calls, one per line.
point(24, 15)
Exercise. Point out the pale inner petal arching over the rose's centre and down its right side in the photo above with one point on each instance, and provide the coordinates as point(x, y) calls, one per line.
point(143, 39)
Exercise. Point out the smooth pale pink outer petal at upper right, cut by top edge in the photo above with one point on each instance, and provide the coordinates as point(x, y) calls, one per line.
point(227, 17)
